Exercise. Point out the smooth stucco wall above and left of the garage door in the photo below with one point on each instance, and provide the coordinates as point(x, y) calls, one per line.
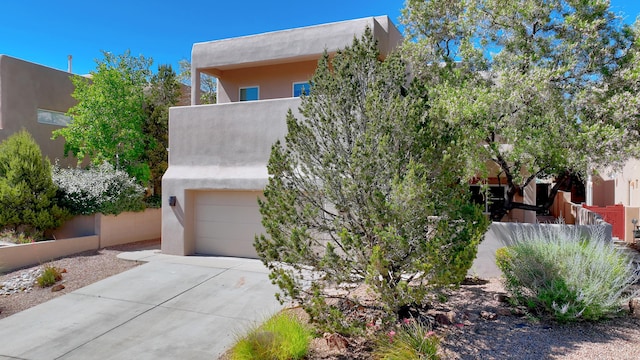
point(216, 147)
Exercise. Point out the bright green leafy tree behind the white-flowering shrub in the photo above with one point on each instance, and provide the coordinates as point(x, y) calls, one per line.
point(109, 117)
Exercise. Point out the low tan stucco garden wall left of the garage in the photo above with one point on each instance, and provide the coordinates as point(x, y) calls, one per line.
point(84, 233)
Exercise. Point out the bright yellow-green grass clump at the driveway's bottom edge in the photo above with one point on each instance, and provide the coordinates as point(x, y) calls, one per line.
point(282, 337)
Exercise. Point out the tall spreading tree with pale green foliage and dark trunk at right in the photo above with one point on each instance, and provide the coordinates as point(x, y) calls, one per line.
point(524, 79)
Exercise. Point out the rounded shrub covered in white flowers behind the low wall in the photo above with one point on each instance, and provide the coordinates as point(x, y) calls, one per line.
point(101, 189)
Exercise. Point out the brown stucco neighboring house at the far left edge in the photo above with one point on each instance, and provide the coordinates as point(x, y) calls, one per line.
point(35, 98)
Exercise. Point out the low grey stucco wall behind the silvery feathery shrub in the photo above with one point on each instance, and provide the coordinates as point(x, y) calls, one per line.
point(500, 234)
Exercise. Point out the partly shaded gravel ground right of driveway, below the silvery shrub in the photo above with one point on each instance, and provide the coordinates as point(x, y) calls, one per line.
point(484, 327)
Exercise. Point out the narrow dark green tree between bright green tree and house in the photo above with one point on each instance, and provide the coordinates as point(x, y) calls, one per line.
point(164, 92)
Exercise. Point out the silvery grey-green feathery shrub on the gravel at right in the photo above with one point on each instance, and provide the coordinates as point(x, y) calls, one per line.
point(558, 271)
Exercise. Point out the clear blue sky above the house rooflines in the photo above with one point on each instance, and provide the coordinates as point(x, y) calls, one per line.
point(45, 31)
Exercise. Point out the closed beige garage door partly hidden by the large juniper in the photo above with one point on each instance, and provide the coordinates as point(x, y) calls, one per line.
point(226, 223)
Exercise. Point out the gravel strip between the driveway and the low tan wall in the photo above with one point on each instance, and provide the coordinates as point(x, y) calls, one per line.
point(81, 270)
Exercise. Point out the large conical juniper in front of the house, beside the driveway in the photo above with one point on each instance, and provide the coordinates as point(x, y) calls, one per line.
point(366, 188)
